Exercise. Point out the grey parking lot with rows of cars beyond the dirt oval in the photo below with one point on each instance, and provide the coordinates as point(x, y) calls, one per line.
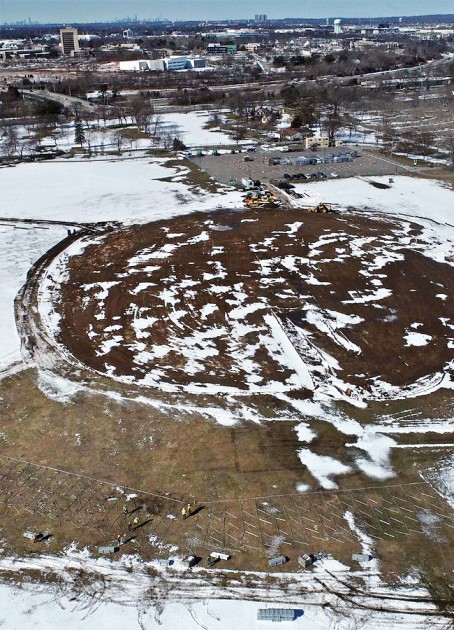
point(258, 165)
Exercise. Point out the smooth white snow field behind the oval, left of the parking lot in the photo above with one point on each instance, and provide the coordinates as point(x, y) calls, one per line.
point(111, 190)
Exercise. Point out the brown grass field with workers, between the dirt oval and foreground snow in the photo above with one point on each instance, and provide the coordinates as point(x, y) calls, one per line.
point(243, 478)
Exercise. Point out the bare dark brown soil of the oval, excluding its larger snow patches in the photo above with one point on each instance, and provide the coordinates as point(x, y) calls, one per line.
point(414, 282)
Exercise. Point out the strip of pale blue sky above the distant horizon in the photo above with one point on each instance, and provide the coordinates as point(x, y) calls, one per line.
point(79, 11)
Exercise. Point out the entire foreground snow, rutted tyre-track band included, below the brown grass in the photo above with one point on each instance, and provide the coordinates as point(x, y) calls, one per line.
point(121, 594)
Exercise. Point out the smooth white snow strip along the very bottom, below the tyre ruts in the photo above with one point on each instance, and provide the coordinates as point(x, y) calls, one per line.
point(33, 607)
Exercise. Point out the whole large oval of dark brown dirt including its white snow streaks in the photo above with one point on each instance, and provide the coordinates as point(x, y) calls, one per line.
point(262, 301)
